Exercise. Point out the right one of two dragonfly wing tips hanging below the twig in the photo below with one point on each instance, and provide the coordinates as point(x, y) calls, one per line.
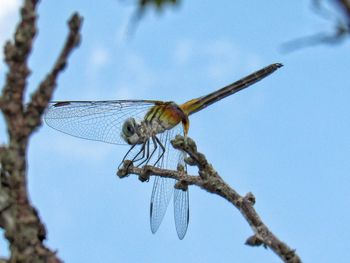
point(181, 212)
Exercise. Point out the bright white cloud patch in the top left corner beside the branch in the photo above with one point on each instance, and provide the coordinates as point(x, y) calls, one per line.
point(8, 15)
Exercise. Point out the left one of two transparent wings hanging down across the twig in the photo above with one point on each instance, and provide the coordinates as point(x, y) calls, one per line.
point(163, 188)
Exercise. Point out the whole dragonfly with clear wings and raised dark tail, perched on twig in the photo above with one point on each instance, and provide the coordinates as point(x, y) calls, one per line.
point(147, 127)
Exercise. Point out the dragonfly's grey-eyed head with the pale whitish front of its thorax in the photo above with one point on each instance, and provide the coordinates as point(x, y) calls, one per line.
point(134, 132)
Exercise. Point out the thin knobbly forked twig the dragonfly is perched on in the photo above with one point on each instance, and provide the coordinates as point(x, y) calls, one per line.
point(210, 181)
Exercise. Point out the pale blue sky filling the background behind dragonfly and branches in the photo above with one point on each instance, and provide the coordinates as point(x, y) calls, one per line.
point(286, 139)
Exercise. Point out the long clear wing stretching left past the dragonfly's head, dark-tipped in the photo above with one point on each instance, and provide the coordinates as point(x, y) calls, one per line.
point(95, 120)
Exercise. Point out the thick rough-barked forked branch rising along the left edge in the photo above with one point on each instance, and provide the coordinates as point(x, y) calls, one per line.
point(23, 228)
